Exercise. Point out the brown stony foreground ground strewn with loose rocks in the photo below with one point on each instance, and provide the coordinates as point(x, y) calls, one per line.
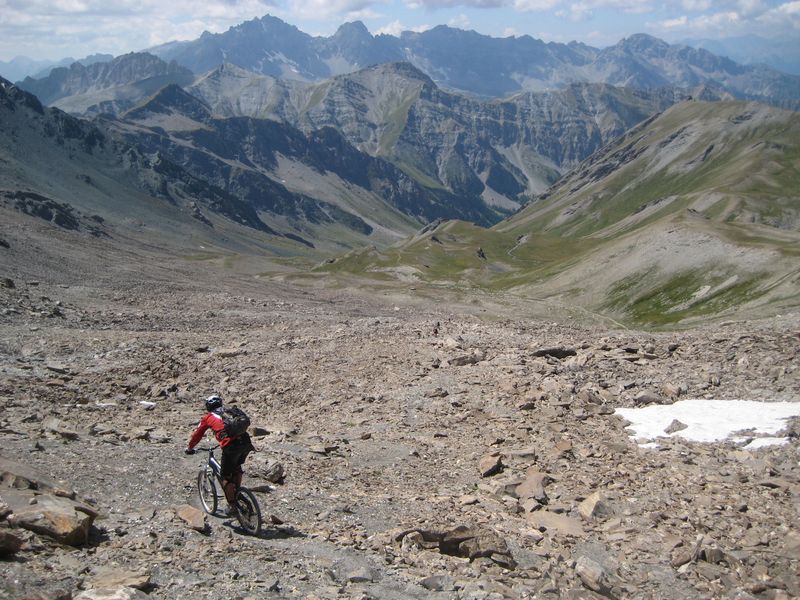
point(428, 453)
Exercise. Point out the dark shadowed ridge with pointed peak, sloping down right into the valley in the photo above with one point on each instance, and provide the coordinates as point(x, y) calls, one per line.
point(264, 146)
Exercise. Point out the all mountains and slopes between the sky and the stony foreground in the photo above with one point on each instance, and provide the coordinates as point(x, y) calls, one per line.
point(649, 202)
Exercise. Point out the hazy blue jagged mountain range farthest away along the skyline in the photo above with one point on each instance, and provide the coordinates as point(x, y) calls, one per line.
point(476, 64)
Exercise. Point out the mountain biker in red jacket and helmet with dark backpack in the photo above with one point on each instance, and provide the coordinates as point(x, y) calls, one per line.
point(234, 449)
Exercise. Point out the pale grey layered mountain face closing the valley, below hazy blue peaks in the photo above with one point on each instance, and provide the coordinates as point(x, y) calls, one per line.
point(394, 111)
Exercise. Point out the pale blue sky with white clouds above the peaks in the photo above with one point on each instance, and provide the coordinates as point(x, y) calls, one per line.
point(54, 29)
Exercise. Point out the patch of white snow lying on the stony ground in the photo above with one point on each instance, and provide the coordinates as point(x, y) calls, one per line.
point(713, 420)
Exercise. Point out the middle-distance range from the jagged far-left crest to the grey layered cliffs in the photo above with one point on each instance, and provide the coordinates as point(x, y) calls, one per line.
point(487, 157)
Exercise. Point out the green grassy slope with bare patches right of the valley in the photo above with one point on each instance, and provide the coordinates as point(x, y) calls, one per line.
point(694, 214)
